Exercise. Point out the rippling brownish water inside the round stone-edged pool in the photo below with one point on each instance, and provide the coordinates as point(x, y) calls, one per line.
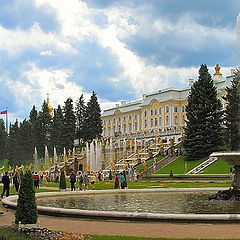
point(153, 202)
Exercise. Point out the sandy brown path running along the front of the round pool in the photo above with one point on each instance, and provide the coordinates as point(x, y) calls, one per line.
point(121, 228)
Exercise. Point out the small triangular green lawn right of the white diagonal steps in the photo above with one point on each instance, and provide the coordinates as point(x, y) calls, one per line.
point(218, 167)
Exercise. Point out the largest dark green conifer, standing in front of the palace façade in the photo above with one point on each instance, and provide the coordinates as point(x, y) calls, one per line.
point(203, 130)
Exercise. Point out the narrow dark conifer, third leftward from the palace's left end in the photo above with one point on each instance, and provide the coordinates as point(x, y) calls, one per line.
point(69, 124)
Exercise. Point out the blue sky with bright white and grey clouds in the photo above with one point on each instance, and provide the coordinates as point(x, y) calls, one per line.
point(119, 49)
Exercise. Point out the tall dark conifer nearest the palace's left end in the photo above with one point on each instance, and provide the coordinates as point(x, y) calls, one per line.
point(92, 120)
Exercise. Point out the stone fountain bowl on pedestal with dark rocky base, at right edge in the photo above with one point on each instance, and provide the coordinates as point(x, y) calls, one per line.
point(233, 158)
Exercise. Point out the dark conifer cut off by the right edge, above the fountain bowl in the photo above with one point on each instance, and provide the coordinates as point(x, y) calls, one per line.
point(232, 113)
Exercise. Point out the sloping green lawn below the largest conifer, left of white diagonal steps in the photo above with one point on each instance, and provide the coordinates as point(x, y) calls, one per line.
point(180, 166)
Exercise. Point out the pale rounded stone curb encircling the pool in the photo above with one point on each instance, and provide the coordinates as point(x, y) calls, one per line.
point(11, 202)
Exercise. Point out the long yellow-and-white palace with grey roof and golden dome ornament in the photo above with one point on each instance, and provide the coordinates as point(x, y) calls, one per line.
point(161, 113)
